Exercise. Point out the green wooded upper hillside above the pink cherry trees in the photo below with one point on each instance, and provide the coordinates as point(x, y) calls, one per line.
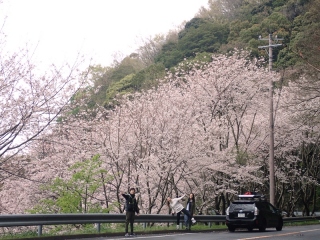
point(225, 25)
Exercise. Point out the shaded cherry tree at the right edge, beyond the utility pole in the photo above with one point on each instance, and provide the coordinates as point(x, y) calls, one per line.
point(298, 147)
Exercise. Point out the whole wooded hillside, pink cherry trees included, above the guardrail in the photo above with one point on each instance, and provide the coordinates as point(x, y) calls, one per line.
point(188, 112)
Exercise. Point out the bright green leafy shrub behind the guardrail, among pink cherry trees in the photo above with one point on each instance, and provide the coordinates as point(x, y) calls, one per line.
point(75, 195)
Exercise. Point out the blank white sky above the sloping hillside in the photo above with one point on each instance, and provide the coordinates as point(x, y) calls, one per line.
point(96, 28)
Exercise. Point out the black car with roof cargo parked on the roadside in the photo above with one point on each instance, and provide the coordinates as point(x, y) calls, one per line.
point(253, 211)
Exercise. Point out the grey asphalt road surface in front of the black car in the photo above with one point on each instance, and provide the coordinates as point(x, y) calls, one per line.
point(310, 232)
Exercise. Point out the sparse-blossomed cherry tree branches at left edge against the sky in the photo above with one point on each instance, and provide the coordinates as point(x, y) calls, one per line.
point(31, 99)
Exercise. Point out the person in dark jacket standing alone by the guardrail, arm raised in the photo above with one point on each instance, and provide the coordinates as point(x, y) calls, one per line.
point(131, 208)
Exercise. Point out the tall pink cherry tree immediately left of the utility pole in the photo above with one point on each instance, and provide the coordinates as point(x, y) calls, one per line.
point(234, 94)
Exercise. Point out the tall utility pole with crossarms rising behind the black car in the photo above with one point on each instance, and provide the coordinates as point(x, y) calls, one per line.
point(271, 123)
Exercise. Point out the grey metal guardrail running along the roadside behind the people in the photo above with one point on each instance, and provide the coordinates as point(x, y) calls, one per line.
point(98, 218)
